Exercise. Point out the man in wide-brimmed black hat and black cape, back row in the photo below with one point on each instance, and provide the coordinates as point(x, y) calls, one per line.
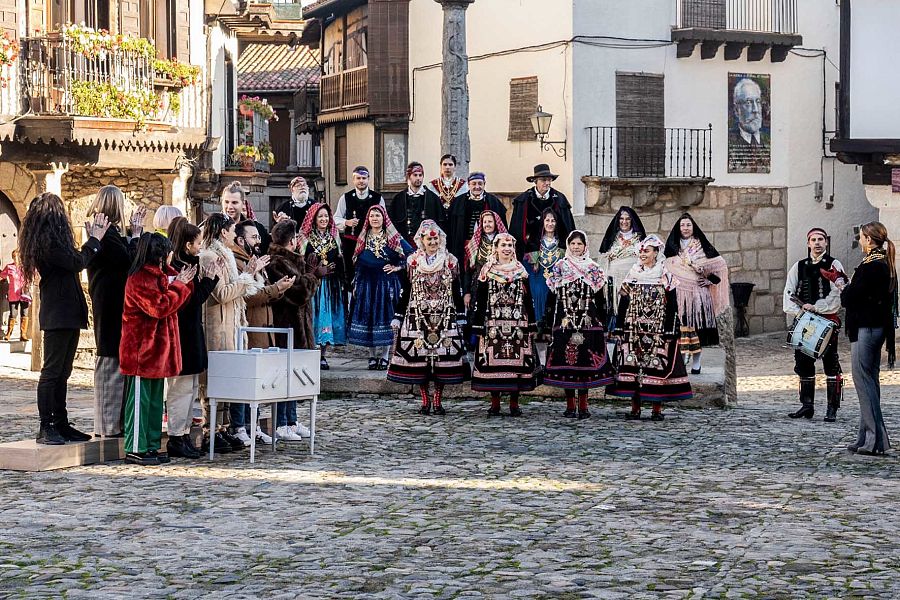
point(525, 224)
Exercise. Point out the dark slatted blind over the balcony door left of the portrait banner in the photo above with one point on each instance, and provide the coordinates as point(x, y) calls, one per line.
point(640, 125)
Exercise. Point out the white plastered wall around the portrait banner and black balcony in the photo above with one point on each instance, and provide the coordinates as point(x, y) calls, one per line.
point(696, 94)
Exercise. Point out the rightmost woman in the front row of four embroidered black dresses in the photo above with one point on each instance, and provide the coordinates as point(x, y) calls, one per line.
point(650, 366)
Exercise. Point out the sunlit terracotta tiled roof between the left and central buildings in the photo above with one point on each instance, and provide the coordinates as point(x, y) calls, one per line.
point(264, 67)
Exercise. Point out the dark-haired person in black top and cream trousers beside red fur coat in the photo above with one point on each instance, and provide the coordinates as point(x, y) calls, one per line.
point(183, 389)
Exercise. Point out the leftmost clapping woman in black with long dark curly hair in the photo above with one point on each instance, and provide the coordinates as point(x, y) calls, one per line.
point(47, 247)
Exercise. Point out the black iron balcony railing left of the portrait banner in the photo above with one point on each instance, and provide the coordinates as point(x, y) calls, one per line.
point(650, 152)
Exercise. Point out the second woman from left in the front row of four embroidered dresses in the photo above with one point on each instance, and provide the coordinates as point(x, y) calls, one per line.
point(503, 318)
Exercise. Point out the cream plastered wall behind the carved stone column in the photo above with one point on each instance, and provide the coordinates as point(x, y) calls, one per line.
point(494, 26)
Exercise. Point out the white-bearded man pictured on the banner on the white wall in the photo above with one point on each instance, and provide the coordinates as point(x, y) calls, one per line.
point(748, 143)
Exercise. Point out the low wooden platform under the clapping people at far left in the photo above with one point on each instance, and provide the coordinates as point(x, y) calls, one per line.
point(27, 455)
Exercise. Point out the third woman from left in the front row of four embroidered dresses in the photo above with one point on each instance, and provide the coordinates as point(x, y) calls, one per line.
point(576, 316)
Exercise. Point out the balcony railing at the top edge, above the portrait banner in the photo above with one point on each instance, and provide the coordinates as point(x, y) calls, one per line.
point(763, 16)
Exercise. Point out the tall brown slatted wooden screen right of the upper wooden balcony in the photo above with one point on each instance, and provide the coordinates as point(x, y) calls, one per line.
point(389, 58)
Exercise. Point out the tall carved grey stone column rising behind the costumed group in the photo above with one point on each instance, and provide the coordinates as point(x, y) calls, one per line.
point(454, 85)
